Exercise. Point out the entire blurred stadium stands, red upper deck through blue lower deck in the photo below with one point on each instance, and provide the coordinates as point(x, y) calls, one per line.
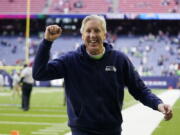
point(147, 31)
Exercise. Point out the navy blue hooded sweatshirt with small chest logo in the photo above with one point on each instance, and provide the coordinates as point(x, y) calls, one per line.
point(94, 88)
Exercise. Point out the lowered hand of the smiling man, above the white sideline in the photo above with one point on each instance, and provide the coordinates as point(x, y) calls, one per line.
point(166, 110)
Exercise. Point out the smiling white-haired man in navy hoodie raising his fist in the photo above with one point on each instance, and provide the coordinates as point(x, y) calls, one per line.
point(95, 76)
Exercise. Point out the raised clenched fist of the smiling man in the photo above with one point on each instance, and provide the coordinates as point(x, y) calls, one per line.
point(52, 32)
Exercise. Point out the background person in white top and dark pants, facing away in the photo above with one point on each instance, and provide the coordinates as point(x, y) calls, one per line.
point(27, 84)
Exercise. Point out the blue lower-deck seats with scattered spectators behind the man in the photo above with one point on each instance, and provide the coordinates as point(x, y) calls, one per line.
point(151, 55)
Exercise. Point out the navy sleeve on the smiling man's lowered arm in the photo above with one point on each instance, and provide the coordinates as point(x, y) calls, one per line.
point(137, 88)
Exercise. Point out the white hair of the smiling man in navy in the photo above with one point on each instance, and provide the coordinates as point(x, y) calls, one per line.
point(93, 17)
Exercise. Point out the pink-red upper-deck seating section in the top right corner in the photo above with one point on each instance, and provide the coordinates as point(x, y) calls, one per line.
point(149, 6)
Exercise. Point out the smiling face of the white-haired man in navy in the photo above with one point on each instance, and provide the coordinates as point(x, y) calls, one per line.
point(93, 36)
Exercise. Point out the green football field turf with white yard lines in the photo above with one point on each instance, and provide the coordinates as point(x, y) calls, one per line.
point(47, 115)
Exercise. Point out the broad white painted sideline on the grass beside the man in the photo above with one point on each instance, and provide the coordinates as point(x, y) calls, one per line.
point(142, 120)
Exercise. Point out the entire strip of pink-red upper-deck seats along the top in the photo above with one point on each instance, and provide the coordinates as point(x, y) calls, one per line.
point(90, 6)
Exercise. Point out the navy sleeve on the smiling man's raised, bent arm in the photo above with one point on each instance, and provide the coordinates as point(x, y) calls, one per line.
point(43, 68)
